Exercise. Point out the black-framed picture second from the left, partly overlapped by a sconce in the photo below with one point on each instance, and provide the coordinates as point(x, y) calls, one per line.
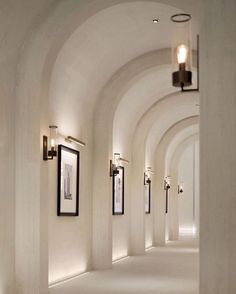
point(118, 192)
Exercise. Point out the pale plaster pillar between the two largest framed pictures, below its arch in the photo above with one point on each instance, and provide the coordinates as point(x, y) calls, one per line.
point(102, 199)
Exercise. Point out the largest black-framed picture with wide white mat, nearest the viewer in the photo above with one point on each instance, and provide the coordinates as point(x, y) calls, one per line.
point(68, 181)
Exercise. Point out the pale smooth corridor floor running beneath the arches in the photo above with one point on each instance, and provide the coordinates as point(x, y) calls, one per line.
point(163, 270)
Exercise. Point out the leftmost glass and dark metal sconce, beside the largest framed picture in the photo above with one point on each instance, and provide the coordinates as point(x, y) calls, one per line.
point(49, 150)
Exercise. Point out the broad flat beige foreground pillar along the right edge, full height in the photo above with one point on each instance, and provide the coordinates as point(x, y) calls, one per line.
point(218, 147)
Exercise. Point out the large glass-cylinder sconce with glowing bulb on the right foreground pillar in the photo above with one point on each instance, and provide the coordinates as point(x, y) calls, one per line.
point(181, 53)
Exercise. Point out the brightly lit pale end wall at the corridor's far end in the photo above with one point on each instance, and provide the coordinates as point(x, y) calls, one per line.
point(188, 170)
